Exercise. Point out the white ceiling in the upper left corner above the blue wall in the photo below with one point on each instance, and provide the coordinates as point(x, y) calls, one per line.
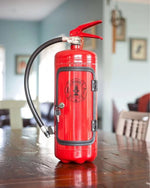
point(33, 10)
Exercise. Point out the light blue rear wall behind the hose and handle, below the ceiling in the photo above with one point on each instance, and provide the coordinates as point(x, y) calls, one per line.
point(21, 37)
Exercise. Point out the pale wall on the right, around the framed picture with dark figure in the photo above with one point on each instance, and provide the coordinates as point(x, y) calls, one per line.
point(131, 79)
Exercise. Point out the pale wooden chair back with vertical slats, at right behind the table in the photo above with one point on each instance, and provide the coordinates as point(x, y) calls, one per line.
point(134, 124)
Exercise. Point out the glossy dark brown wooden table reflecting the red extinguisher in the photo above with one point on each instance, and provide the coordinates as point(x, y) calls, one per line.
point(27, 161)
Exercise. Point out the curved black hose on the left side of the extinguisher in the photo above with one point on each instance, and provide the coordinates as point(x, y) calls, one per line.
point(26, 81)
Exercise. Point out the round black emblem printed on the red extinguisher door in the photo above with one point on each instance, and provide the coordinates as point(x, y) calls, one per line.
point(76, 90)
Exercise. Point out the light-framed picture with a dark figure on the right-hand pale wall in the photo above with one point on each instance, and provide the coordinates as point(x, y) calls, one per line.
point(138, 49)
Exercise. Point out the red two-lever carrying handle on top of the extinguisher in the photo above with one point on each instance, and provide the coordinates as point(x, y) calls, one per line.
point(79, 30)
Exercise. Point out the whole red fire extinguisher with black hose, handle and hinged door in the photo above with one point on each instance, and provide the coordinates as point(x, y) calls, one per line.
point(75, 98)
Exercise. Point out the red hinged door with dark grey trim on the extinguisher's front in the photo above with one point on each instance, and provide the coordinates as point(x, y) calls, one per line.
point(74, 88)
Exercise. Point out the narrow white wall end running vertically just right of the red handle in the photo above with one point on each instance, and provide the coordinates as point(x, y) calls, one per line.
point(106, 89)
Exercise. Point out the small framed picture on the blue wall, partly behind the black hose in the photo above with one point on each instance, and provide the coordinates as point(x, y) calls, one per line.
point(21, 62)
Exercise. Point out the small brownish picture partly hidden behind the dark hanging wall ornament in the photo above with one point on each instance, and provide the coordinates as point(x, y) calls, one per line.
point(121, 30)
